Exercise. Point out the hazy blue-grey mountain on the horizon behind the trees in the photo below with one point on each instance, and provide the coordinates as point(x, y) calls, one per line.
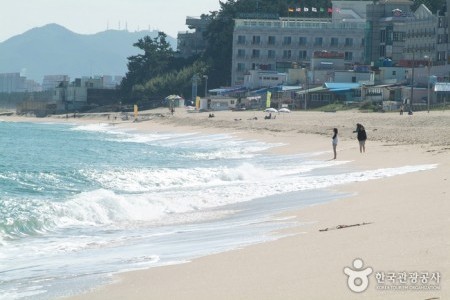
point(55, 50)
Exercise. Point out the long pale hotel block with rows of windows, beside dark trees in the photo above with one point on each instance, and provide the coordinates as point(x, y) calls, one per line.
point(281, 43)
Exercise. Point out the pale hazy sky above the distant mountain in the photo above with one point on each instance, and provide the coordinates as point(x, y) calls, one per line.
point(92, 16)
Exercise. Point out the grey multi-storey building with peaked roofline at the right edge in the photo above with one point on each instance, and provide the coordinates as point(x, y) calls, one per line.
point(394, 31)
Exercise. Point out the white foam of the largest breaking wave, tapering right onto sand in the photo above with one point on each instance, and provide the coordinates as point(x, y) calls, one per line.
point(177, 192)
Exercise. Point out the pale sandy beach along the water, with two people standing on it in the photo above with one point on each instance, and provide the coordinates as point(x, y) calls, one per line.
point(394, 225)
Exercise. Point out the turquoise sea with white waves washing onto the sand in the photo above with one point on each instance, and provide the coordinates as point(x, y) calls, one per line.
point(81, 202)
